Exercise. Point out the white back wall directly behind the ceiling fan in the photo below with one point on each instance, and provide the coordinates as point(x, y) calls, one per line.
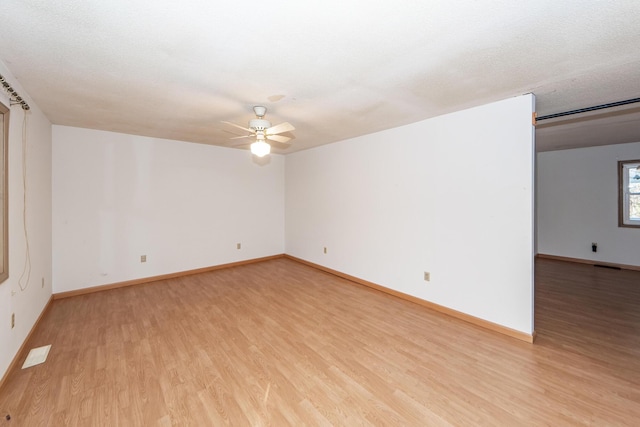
point(185, 206)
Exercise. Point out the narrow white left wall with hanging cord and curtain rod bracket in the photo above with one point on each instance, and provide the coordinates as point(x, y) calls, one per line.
point(26, 298)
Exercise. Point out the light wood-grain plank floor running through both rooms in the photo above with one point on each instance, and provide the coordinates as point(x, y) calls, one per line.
point(280, 343)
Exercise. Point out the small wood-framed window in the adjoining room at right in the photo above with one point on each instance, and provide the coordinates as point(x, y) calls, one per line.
point(629, 195)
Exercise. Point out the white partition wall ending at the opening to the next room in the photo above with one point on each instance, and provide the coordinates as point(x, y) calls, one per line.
point(452, 195)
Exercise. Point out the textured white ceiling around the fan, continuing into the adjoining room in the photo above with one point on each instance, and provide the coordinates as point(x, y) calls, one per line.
point(333, 68)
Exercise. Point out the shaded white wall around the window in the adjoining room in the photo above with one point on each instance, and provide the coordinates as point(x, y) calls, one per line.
point(578, 204)
